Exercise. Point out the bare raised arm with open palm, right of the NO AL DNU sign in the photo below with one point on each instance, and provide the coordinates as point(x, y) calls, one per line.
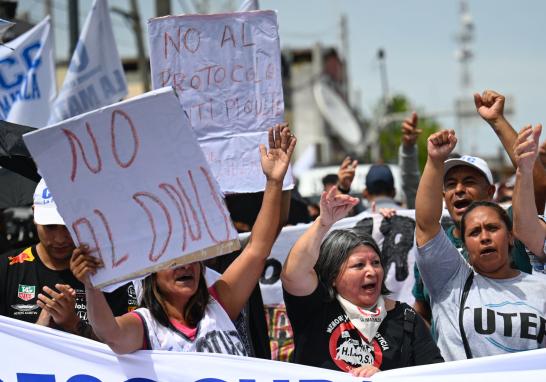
point(236, 284)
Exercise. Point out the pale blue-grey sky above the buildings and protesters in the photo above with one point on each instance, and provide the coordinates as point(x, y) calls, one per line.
point(419, 38)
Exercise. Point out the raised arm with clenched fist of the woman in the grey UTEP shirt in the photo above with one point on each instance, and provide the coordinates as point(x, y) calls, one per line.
point(428, 202)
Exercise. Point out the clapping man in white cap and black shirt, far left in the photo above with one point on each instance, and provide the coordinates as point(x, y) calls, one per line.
point(36, 284)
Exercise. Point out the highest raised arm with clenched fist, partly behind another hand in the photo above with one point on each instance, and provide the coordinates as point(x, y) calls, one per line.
point(490, 106)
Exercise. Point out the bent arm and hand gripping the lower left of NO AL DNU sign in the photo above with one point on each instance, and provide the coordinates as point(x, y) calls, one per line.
point(123, 334)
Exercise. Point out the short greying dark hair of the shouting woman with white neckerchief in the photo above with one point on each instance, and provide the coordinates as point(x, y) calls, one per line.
point(335, 250)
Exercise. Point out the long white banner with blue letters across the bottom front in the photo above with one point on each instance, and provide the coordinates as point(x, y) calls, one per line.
point(31, 353)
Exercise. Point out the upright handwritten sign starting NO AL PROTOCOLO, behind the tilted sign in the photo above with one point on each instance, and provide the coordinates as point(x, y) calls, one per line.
point(226, 71)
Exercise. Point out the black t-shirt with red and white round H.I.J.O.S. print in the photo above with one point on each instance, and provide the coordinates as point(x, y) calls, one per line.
point(325, 337)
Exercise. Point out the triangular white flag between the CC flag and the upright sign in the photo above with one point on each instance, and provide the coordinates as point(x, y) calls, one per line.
point(95, 75)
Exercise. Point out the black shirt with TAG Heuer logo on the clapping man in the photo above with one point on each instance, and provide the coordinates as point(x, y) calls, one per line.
point(23, 275)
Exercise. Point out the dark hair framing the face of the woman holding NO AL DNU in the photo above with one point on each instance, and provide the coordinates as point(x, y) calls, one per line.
point(154, 300)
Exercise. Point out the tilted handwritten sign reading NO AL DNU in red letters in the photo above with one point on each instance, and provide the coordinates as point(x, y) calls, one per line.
point(130, 180)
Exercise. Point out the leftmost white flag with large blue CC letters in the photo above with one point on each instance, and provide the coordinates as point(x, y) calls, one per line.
point(27, 77)
